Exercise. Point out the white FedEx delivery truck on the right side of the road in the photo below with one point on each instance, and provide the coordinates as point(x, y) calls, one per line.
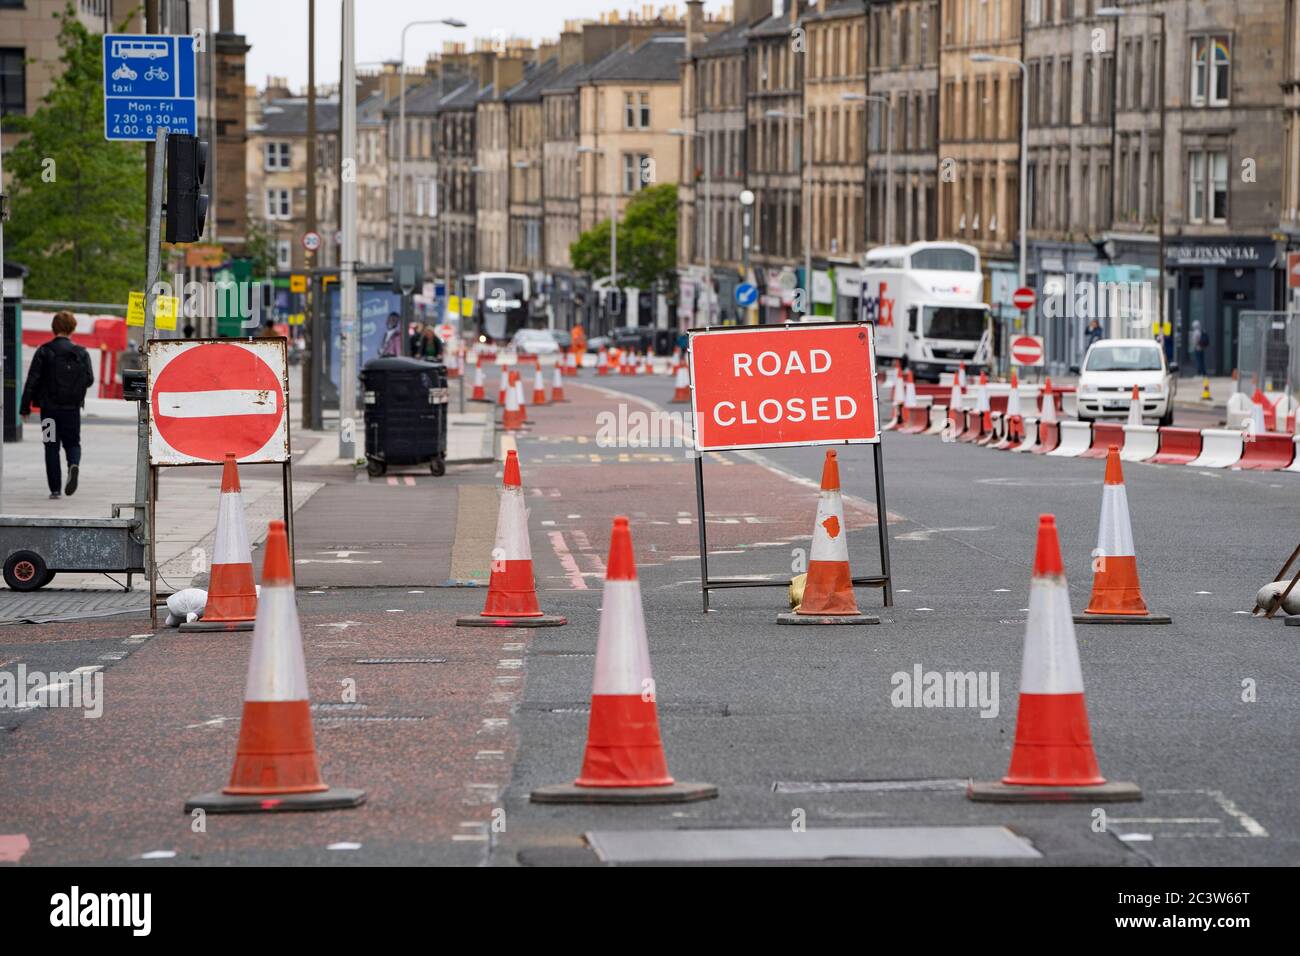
point(928, 308)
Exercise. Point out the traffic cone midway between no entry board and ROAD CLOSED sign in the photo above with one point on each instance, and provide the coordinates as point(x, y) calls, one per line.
point(512, 590)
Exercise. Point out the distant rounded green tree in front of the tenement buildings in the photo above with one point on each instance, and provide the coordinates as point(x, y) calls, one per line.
point(648, 241)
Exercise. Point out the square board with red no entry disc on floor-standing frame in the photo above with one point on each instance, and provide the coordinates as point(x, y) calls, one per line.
point(213, 397)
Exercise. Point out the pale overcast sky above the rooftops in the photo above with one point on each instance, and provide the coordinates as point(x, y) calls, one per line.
point(278, 29)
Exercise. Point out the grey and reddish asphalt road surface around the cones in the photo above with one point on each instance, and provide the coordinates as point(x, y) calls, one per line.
point(450, 729)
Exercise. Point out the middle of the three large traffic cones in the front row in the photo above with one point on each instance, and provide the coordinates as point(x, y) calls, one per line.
point(625, 760)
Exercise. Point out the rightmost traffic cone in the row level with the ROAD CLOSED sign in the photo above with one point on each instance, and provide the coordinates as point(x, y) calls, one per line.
point(1116, 591)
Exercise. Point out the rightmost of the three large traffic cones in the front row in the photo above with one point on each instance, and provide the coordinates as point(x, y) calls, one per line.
point(1052, 759)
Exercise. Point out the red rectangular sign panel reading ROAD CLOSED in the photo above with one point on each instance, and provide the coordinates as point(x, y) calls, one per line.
point(792, 386)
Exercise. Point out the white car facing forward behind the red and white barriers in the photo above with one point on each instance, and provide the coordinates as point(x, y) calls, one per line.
point(1110, 373)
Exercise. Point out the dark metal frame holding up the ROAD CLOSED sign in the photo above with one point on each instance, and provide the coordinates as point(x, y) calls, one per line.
point(885, 581)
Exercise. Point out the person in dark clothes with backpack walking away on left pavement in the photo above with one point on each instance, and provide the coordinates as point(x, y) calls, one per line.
point(57, 383)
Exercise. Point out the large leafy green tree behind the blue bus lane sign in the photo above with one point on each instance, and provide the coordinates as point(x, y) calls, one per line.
point(79, 200)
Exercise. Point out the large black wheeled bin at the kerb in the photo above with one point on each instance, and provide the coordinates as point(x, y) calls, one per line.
point(406, 414)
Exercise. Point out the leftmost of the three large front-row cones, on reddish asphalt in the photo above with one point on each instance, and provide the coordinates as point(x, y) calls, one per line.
point(276, 765)
